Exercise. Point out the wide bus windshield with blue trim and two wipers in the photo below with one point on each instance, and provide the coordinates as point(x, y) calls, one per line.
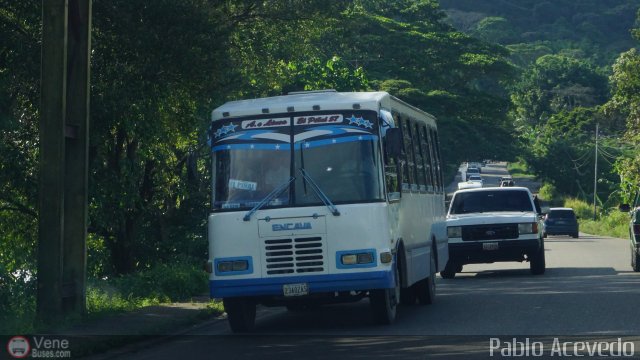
point(338, 150)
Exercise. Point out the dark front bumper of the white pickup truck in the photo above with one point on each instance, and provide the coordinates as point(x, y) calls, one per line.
point(475, 252)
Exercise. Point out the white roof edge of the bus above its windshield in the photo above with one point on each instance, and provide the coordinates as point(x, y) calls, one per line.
point(306, 101)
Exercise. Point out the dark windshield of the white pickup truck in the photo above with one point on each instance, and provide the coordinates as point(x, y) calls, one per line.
point(491, 201)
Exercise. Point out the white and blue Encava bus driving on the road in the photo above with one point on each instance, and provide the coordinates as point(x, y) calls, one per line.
point(324, 197)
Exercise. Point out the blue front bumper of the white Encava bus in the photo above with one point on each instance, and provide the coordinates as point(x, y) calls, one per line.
point(316, 284)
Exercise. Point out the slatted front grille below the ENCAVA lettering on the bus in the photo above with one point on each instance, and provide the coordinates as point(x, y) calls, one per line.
point(294, 255)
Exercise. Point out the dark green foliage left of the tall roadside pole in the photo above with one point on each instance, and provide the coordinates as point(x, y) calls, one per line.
point(20, 34)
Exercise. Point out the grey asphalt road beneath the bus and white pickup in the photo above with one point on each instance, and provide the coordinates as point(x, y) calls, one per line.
point(588, 293)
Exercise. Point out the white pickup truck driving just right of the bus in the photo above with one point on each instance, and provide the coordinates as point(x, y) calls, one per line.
point(494, 224)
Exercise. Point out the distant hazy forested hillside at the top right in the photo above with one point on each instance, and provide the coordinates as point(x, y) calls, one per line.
point(593, 30)
